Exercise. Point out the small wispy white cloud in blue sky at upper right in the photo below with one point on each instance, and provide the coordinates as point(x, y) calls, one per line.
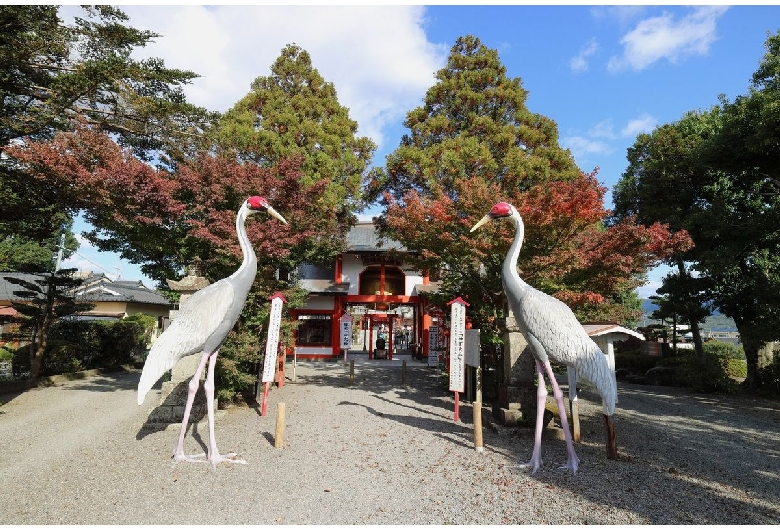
point(663, 37)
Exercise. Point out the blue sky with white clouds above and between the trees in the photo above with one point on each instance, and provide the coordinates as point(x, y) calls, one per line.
point(603, 73)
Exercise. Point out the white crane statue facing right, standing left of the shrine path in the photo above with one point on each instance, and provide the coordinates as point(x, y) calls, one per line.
point(202, 324)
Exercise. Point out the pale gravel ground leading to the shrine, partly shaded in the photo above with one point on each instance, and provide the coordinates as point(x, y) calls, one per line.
point(377, 452)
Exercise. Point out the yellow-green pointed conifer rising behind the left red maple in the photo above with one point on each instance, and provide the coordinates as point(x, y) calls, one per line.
point(294, 111)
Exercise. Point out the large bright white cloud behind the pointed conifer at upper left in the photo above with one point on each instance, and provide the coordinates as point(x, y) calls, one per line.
point(377, 57)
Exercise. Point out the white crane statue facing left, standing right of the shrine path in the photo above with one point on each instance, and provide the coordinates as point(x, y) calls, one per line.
point(552, 332)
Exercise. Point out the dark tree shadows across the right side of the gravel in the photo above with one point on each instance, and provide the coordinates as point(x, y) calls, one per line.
point(675, 467)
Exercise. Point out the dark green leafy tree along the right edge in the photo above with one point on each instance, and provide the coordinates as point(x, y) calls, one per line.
point(715, 174)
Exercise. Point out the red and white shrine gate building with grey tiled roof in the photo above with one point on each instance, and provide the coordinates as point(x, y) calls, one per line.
point(370, 283)
